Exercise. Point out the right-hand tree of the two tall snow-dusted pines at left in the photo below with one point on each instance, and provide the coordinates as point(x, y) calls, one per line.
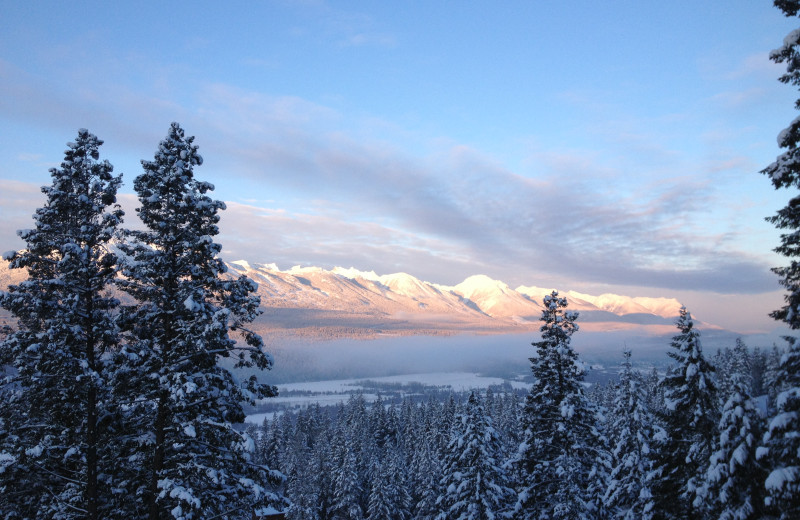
point(187, 460)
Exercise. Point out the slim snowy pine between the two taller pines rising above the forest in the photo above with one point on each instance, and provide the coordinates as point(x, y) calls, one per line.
point(632, 427)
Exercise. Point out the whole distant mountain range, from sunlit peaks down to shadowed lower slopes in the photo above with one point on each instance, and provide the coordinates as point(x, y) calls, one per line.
point(317, 303)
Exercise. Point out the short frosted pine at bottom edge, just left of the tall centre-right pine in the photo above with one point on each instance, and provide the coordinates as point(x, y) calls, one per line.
point(475, 485)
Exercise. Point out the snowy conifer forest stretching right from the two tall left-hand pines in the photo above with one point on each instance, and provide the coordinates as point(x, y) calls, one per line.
point(691, 443)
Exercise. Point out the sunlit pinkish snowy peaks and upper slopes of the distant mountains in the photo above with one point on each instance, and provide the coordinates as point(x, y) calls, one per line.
point(403, 296)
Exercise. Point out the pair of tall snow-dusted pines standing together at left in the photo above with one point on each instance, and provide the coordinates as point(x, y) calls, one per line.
point(122, 411)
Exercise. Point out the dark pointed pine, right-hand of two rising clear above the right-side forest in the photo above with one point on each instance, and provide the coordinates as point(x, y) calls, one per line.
point(690, 419)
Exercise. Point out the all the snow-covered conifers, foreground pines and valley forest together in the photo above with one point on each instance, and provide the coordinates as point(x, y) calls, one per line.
point(115, 405)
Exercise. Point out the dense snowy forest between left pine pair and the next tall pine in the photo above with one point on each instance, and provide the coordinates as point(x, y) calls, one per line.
point(418, 459)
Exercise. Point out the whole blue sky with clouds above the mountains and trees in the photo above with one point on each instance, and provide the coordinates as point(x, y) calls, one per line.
point(590, 146)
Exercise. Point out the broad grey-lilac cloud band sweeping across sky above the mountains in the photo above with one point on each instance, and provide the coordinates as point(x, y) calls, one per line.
point(350, 196)
